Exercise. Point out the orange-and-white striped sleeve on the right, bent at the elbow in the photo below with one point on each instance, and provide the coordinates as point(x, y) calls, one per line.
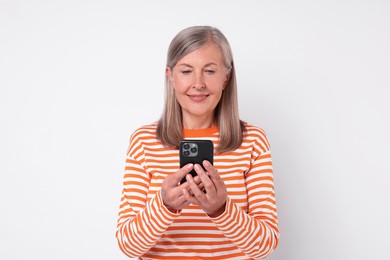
point(255, 232)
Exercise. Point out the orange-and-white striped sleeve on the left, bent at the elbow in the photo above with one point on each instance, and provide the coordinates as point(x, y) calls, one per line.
point(141, 221)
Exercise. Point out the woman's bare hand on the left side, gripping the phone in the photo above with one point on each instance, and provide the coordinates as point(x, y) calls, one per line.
point(172, 192)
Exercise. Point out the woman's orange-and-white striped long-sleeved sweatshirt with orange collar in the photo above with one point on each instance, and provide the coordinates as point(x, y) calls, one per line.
point(247, 229)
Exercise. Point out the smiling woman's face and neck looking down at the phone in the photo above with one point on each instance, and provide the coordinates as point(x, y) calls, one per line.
point(199, 79)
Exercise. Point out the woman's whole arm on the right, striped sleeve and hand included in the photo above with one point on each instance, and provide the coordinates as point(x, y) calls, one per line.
point(255, 232)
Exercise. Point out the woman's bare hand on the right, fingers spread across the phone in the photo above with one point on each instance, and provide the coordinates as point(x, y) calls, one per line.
point(213, 202)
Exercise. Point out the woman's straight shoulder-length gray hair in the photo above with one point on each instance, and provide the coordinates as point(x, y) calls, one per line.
point(170, 125)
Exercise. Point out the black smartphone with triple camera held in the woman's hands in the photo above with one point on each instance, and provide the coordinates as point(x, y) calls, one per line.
point(195, 151)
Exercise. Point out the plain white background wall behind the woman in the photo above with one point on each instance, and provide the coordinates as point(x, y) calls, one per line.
point(77, 77)
